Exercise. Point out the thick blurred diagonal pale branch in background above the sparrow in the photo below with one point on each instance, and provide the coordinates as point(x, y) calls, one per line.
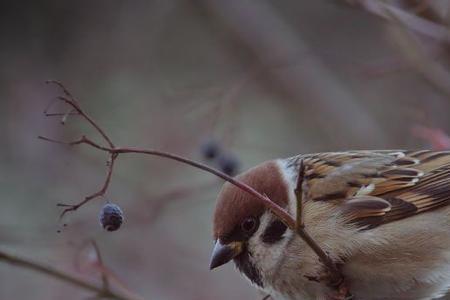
point(264, 33)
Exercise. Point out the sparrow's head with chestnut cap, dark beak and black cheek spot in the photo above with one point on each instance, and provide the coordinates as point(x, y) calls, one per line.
point(243, 229)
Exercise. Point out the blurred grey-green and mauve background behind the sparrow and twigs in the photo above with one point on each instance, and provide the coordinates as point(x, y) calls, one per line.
point(255, 79)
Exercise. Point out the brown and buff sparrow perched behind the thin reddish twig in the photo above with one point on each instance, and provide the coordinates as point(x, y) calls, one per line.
point(383, 216)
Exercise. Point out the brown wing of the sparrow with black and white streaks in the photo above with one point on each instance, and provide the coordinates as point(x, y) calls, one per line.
point(376, 187)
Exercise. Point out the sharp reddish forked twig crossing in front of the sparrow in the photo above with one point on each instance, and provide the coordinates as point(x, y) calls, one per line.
point(335, 277)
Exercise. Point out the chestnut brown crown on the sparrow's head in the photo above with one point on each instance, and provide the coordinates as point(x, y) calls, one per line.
point(234, 205)
